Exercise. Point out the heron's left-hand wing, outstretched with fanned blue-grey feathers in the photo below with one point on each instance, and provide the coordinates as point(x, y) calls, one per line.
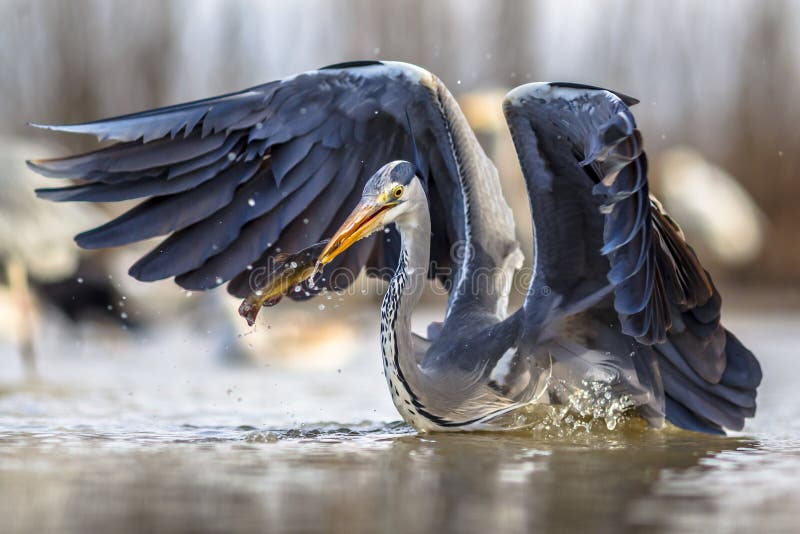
point(235, 179)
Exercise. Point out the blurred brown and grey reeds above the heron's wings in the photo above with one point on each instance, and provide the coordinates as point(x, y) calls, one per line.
point(719, 76)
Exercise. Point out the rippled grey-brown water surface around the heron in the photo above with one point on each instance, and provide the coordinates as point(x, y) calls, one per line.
point(144, 433)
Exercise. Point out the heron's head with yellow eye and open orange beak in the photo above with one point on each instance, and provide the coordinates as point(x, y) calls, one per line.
point(385, 200)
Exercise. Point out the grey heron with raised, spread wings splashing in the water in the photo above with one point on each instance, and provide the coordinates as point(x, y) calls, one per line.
point(618, 306)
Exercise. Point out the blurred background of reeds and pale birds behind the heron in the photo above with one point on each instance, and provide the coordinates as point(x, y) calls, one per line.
point(718, 84)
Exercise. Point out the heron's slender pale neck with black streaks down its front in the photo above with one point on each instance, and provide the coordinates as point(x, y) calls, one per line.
point(403, 374)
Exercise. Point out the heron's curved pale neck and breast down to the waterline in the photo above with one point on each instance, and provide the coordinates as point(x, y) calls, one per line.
point(428, 395)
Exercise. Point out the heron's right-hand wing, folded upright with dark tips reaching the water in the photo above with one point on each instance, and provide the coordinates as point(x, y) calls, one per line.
point(599, 232)
